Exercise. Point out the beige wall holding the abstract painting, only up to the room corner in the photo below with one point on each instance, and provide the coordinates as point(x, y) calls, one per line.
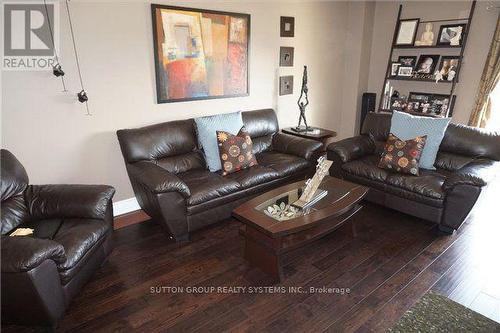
point(58, 143)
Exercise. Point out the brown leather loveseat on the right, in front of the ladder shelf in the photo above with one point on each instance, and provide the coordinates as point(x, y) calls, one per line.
point(468, 159)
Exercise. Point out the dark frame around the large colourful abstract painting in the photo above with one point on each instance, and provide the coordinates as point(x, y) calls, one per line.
point(160, 98)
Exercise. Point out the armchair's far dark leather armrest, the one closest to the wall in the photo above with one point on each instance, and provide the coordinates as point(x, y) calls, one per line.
point(69, 201)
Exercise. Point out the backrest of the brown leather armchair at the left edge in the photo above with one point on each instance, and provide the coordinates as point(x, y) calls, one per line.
point(14, 181)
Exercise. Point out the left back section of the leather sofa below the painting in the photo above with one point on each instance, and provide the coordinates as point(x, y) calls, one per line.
point(172, 145)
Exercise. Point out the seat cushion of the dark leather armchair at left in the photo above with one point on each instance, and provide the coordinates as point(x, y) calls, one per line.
point(78, 236)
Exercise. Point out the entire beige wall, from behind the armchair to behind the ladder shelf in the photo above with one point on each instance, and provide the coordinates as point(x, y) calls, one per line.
point(344, 44)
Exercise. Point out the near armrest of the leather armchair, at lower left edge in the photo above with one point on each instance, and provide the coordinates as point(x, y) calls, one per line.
point(22, 253)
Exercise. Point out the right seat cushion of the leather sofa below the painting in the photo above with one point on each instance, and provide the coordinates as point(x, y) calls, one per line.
point(284, 164)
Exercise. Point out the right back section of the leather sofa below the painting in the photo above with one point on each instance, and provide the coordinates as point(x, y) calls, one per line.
point(261, 125)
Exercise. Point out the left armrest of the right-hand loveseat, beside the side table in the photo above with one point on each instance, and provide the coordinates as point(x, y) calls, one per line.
point(352, 148)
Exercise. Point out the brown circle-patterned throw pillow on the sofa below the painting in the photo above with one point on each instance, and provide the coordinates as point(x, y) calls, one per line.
point(235, 151)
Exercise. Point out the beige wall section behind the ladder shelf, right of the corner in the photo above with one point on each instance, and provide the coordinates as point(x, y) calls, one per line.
point(478, 43)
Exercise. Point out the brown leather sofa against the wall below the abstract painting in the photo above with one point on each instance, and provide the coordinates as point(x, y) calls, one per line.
point(173, 186)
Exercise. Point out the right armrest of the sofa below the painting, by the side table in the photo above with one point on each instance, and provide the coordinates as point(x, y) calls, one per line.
point(294, 145)
